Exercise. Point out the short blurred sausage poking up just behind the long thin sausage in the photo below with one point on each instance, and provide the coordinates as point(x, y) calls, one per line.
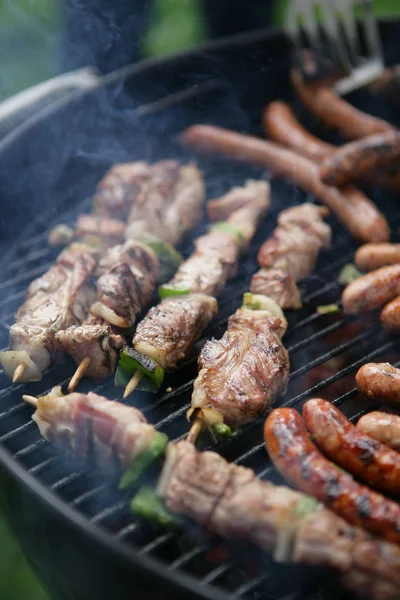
point(282, 126)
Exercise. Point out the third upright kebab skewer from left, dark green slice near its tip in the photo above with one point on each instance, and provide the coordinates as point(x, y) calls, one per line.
point(168, 331)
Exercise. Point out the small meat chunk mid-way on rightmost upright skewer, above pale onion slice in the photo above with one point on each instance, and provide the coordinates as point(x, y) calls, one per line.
point(278, 285)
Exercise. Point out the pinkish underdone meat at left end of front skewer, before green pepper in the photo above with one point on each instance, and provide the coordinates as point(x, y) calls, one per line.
point(90, 424)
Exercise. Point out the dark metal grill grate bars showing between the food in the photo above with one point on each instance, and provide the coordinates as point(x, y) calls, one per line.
point(325, 351)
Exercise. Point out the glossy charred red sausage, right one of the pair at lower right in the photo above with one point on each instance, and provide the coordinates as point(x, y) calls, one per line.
point(362, 456)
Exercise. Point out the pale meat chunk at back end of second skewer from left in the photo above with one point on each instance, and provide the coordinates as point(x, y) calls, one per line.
point(170, 204)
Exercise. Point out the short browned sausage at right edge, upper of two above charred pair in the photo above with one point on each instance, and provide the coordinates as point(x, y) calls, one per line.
point(380, 382)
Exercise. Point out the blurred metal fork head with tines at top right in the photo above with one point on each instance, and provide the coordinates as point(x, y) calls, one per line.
point(327, 36)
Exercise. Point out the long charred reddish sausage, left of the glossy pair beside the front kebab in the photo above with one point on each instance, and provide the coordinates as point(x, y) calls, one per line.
point(303, 465)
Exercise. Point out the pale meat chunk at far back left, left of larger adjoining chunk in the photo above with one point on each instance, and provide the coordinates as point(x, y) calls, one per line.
point(120, 188)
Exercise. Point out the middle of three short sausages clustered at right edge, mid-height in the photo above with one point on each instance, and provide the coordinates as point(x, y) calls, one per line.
point(372, 291)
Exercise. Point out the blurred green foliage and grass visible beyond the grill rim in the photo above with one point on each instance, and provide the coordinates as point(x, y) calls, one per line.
point(29, 38)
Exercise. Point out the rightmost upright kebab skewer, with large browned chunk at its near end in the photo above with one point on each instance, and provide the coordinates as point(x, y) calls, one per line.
point(241, 374)
